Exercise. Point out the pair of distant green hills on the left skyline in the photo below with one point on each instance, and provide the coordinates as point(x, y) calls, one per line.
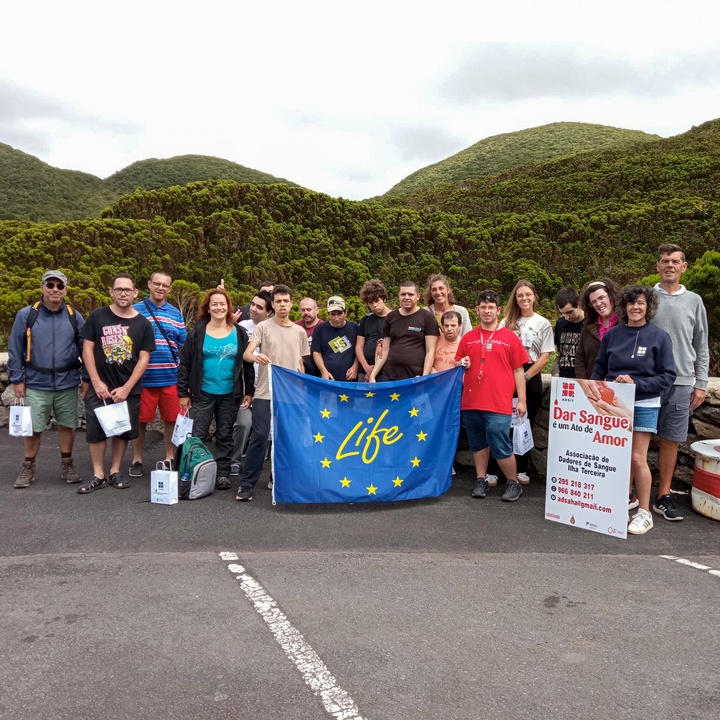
point(30, 189)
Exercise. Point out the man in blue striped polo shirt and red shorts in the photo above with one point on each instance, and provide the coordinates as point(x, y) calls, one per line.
point(160, 379)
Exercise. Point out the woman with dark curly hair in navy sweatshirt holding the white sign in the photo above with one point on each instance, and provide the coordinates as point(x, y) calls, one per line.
point(636, 351)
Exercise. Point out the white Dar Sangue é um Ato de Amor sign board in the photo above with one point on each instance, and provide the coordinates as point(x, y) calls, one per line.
point(589, 451)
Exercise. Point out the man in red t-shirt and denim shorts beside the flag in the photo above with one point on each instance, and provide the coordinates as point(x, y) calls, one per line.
point(493, 358)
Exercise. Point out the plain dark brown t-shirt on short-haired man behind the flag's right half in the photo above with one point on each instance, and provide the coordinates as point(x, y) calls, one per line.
point(407, 342)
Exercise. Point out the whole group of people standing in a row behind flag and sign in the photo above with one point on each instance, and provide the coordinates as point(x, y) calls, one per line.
point(141, 353)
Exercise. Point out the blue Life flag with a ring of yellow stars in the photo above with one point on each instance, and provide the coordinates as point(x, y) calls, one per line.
point(363, 442)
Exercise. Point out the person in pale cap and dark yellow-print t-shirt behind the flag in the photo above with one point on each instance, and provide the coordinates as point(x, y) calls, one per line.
point(333, 346)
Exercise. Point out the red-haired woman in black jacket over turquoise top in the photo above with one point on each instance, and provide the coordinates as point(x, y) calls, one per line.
point(213, 379)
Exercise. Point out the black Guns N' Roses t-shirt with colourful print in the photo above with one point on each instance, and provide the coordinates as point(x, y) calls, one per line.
point(117, 345)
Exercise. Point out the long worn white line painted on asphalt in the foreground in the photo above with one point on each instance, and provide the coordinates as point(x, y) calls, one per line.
point(336, 701)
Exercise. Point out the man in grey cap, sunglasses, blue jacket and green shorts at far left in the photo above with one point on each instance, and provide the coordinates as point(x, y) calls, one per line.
point(44, 367)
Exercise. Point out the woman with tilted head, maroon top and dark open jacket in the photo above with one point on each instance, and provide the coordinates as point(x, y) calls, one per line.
point(599, 301)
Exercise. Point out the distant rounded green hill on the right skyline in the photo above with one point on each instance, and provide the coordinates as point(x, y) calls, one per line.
point(500, 153)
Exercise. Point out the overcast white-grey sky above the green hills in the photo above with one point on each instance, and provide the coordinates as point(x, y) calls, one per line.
point(343, 97)
